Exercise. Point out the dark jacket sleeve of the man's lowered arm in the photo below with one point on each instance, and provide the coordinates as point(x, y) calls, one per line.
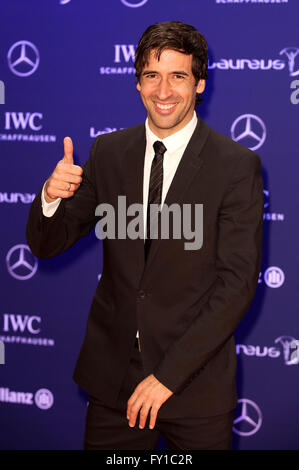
point(238, 260)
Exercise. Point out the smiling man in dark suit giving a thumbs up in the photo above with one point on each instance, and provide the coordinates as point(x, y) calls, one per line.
point(178, 377)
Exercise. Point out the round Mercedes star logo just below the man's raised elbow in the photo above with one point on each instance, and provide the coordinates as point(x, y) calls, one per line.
point(21, 263)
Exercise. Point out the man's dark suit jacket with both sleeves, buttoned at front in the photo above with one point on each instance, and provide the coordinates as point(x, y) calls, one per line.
point(185, 304)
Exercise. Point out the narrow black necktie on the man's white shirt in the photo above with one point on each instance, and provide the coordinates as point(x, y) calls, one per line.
point(155, 189)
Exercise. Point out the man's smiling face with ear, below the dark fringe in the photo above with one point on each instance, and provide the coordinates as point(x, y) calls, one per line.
point(168, 91)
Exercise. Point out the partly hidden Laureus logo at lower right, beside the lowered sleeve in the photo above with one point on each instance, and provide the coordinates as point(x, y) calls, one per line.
point(288, 347)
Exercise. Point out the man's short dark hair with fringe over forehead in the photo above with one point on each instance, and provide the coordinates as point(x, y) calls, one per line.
point(176, 36)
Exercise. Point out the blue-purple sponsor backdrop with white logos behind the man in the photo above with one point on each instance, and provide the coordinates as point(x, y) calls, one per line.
point(67, 68)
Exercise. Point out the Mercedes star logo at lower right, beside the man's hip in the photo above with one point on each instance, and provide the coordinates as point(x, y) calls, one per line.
point(249, 418)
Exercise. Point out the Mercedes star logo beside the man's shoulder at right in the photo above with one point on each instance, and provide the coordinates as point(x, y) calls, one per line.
point(249, 129)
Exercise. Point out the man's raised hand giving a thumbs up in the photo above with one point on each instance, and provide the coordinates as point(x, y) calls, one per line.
point(66, 178)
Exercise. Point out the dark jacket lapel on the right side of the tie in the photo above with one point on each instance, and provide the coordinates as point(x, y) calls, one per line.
point(189, 166)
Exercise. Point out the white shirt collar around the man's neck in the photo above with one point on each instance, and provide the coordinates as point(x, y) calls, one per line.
point(174, 141)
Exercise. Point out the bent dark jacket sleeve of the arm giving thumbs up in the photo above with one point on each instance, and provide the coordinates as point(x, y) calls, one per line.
point(74, 217)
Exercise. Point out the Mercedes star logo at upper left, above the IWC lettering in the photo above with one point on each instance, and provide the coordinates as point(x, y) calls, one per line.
point(23, 58)
